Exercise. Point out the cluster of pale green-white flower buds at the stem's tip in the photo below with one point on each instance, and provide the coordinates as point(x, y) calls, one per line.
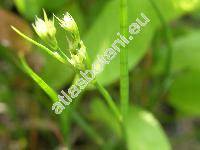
point(46, 30)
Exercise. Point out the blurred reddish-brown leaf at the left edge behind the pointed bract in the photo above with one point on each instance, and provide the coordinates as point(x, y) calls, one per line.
point(8, 38)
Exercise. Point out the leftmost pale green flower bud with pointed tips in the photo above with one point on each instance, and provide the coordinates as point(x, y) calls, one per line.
point(46, 30)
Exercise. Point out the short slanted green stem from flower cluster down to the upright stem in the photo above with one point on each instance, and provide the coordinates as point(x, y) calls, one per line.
point(109, 100)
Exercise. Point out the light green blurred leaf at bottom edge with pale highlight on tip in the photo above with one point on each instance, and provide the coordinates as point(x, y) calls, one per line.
point(144, 132)
